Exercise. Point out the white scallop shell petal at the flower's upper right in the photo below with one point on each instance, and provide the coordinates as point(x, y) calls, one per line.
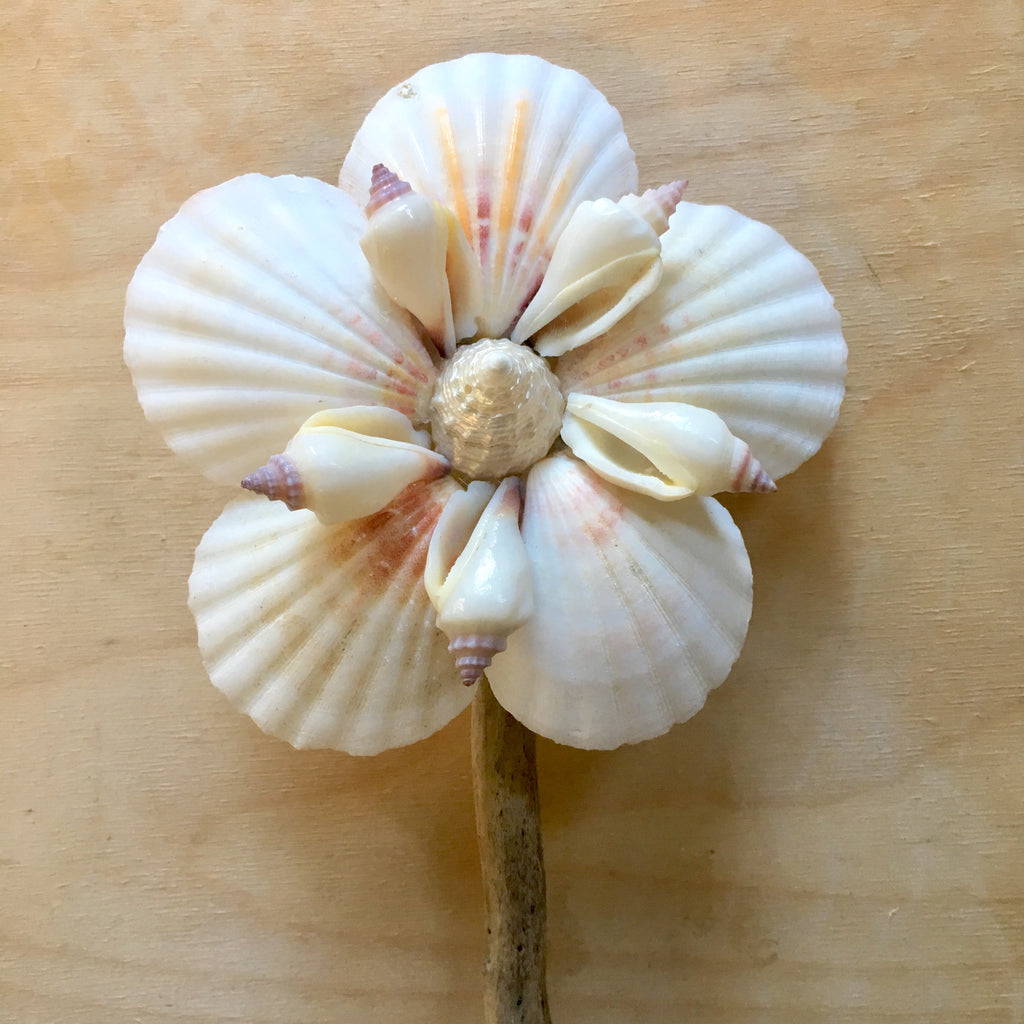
point(741, 325)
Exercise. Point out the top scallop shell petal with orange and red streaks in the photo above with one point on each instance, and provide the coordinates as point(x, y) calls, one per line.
point(513, 145)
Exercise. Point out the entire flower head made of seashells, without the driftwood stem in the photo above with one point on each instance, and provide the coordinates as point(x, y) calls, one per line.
point(492, 389)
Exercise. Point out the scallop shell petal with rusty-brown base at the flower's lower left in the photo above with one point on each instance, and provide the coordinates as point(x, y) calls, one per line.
point(325, 635)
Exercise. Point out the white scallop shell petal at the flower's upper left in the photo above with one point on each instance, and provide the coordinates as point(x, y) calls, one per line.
point(254, 309)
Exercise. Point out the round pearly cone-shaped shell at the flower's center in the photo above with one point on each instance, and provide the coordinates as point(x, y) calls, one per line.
point(496, 411)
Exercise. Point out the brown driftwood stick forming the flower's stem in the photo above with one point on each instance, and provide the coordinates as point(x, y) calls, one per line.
point(508, 830)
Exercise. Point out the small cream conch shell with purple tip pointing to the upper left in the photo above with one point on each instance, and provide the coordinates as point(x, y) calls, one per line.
point(420, 257)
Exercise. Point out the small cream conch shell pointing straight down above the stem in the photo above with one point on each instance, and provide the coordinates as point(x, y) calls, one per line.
point(479, 575)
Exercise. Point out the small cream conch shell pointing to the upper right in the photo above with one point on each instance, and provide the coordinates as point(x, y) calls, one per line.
point(606, 263)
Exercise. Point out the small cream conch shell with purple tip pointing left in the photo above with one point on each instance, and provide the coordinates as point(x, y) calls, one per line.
point(348, 463)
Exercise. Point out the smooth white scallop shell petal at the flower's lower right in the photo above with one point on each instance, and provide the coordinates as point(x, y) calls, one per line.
point(641, 610)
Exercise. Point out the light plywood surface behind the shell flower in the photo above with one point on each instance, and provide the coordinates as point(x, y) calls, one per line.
point(839, 837)
